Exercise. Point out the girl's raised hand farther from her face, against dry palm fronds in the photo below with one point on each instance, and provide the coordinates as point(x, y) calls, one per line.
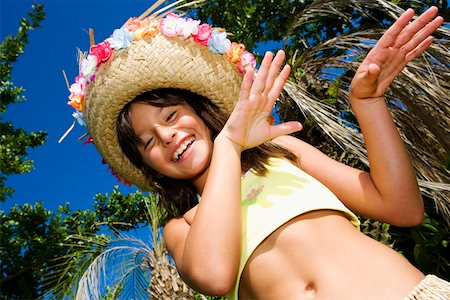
point(401, 43)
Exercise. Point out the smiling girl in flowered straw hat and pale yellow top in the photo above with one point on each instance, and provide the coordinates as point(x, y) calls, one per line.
point(256, 213)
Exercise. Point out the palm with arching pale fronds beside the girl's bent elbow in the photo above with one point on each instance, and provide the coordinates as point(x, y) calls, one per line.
point(124, 266)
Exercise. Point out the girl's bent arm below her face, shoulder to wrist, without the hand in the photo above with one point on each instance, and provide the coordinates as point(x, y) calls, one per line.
point(206, 250)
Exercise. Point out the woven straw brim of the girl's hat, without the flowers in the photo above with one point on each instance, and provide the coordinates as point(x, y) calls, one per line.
point(150, 64)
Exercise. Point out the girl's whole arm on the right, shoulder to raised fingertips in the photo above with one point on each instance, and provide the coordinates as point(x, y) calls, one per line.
point(390, 191)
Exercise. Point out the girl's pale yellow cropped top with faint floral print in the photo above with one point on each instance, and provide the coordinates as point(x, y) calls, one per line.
point(270, 201)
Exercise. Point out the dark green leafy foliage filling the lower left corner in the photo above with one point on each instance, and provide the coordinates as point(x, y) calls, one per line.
point(35, 242)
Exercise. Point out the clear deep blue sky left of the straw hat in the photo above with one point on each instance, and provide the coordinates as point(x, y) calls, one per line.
point(68, 171)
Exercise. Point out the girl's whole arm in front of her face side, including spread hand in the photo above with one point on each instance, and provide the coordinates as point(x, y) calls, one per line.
point(207, 251)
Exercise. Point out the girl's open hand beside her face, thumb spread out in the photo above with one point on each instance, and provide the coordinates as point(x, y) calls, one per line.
point(248, 125)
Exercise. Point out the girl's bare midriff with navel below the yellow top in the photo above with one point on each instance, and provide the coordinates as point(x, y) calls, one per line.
point(321, 255)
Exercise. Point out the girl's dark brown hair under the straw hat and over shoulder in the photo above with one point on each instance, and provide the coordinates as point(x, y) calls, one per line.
point(178, 196)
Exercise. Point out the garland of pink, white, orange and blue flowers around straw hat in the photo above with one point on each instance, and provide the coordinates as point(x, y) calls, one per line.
point(172, 25)
